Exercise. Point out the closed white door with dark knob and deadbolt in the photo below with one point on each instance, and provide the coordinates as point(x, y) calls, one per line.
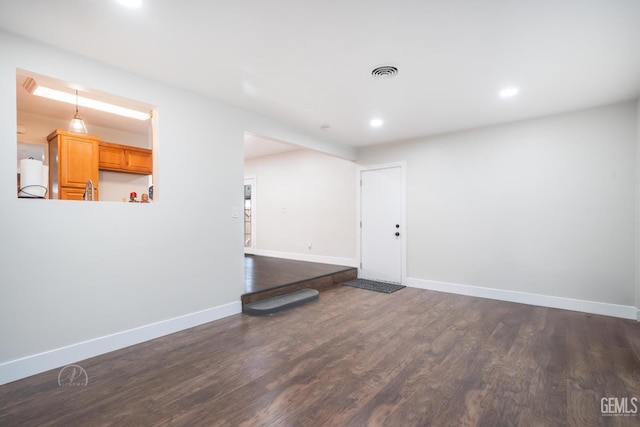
point(381, 224)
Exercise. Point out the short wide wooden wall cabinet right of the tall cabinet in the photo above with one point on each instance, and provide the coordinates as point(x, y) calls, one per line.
point(125, 158)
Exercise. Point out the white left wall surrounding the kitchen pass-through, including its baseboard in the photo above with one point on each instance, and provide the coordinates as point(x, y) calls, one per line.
point(79, 279)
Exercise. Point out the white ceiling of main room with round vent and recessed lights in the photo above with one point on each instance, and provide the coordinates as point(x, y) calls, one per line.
point(308, 63)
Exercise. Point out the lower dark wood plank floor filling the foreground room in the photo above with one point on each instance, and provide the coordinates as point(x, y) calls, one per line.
point(356, 358)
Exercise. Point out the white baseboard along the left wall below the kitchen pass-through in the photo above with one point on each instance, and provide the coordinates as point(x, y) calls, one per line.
point(42, 362)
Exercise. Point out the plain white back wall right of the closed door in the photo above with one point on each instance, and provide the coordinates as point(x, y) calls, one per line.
point(544, 207)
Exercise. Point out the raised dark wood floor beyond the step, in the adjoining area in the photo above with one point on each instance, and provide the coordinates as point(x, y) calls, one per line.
point(263, 273)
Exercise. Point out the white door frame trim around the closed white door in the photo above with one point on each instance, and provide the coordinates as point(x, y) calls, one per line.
point(403, 210)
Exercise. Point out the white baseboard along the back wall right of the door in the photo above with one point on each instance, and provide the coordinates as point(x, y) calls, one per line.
point(614, 310)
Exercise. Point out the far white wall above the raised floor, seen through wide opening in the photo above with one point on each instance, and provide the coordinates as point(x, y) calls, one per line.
point(305, 197)
